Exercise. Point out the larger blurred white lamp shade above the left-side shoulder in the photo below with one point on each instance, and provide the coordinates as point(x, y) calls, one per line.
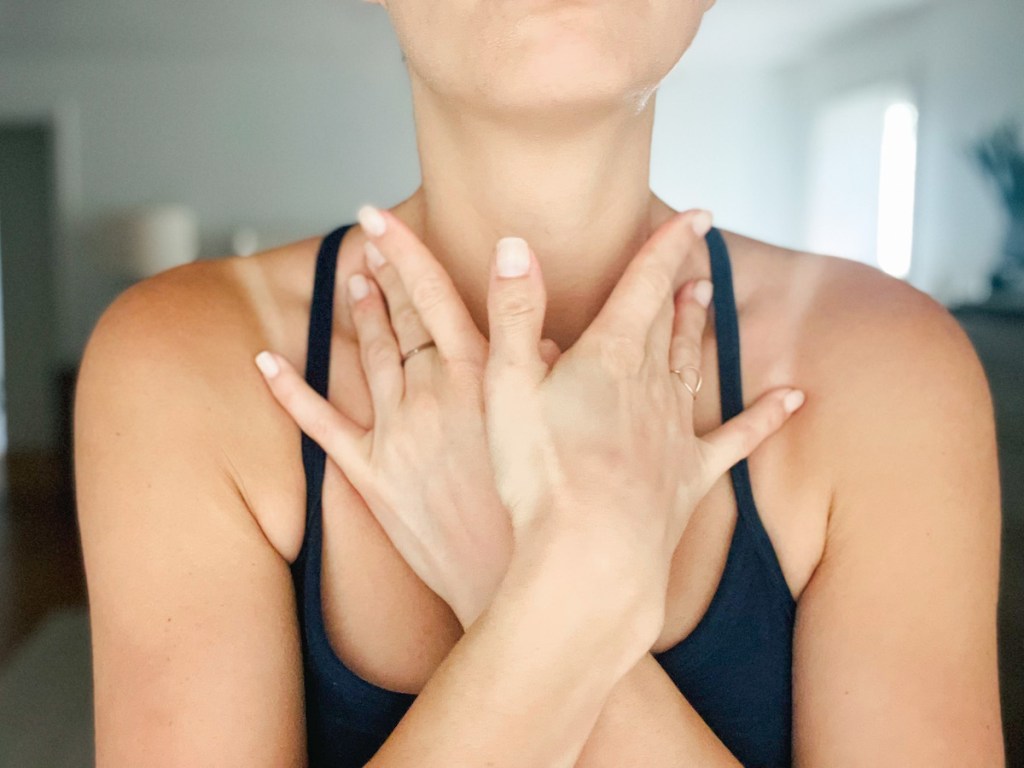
point(156, 239)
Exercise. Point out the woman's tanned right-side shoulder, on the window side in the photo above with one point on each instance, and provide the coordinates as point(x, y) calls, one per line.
point(885, 364)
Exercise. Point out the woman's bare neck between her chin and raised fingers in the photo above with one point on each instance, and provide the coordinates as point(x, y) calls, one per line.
point(578, 191)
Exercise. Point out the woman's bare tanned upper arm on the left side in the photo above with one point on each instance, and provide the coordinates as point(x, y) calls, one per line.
point(194, 626)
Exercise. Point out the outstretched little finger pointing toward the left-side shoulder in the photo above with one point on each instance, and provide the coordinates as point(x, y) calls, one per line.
point(340, 438)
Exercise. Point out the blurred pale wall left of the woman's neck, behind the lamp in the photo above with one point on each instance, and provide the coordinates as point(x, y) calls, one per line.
point(290, 140)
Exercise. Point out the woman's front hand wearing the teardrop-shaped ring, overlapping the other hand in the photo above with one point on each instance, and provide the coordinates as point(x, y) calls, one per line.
point(599, 450)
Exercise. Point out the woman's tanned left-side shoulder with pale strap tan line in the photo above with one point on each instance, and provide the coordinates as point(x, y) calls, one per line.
point(185, 342)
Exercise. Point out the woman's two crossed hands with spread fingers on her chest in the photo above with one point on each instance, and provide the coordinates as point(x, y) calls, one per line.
point(454, 489)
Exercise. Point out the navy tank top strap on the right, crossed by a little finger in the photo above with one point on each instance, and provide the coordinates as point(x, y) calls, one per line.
point(732, 394)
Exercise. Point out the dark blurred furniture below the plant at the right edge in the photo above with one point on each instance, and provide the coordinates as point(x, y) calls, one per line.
point(997, 329)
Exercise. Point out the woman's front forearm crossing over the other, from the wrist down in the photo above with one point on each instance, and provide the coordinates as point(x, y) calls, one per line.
point(527, 684)
